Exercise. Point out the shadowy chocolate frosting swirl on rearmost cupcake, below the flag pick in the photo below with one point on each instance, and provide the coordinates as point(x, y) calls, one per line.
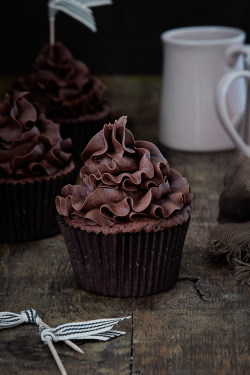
point(62, 87)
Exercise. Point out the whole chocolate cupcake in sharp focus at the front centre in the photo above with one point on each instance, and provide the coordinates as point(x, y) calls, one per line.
point(124, 225)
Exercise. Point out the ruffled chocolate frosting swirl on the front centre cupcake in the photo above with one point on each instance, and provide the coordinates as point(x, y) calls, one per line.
point(123, 180)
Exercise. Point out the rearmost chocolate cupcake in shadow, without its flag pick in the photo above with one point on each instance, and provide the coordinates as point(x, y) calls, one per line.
point(63, 89)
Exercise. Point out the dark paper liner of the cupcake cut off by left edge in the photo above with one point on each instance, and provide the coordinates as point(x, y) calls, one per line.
point(27, 210)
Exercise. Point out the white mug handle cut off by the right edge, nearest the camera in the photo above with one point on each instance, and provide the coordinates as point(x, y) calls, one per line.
point(221, 107)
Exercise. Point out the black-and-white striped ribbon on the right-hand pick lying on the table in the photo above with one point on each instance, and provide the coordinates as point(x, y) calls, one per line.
point(93, 329)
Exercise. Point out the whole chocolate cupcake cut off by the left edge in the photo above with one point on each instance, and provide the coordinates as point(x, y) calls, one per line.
point(35, 163)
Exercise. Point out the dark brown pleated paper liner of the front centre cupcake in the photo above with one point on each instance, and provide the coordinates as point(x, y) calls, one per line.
point(125, 264)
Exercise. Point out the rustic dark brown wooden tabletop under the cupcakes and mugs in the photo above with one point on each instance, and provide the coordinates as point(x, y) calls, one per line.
point(200, 327)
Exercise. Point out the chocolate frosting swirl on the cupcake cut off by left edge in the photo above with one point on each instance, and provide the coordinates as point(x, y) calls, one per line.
point(30, 144)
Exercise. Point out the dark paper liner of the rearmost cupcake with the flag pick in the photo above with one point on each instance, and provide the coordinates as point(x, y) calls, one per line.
point(82, 131)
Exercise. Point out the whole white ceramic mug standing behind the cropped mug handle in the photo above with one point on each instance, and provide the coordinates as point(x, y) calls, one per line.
point(195, 58)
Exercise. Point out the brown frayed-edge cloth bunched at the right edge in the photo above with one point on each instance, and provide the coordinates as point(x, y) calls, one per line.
point(230, 239)
